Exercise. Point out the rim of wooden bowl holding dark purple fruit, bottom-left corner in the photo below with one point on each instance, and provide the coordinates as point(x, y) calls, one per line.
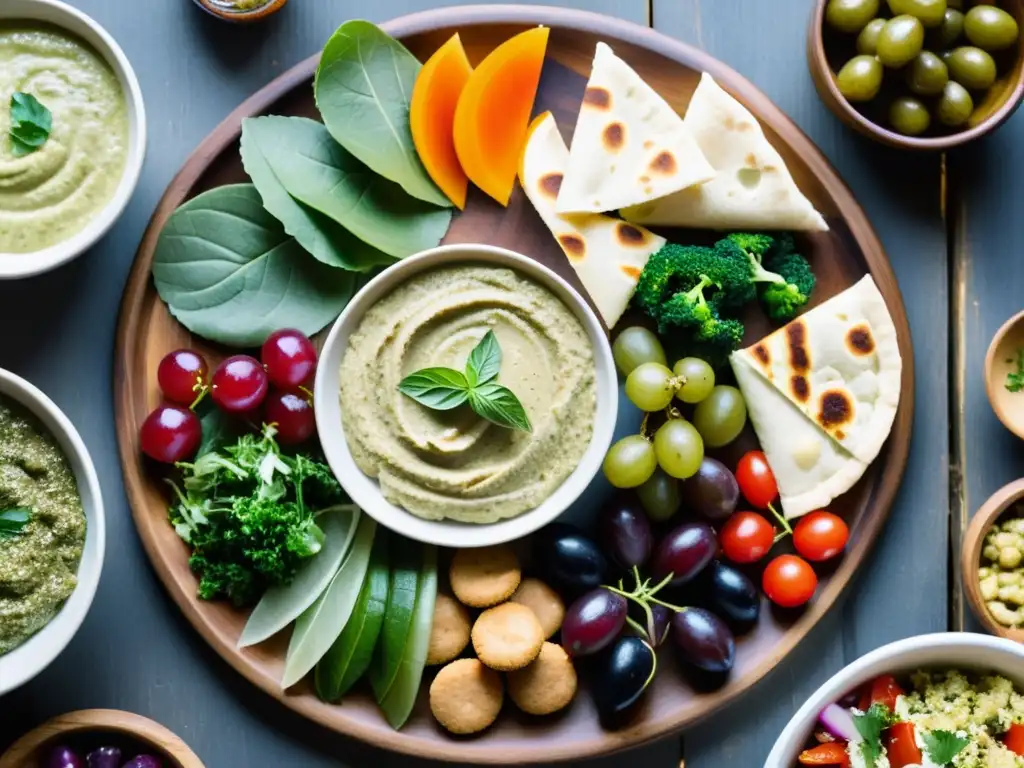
point(30, 751)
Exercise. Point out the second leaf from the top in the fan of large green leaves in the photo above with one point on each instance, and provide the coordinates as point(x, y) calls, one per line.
point(318, 172)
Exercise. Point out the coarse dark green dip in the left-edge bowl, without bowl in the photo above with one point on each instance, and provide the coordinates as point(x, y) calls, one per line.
point(39, 566)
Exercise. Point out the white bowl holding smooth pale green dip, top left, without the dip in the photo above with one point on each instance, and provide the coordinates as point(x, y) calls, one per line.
point(58, 14)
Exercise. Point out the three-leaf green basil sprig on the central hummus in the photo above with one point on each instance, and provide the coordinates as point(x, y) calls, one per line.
point(445, 389)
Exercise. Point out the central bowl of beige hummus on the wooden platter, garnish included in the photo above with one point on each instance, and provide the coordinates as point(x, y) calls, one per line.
point(518, 426)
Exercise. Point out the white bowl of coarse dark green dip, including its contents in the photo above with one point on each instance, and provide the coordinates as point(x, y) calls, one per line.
point(53, 532)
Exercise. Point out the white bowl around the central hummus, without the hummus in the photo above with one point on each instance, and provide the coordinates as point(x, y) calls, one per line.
point(366, 492)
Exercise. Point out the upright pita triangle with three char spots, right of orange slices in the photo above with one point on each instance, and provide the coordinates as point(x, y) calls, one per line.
point(629, 147)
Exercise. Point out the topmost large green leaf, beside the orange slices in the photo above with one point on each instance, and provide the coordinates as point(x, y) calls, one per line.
point(363, 88)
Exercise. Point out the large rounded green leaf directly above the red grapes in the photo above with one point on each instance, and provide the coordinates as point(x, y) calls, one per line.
point(229, 272)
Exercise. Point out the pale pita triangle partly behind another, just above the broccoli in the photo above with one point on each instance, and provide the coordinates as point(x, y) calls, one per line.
point(752, 189)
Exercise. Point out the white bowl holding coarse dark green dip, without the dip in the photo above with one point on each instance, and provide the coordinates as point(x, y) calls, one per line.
point(27, 661)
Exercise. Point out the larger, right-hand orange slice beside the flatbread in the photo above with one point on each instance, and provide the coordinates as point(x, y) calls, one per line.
point(493, 114)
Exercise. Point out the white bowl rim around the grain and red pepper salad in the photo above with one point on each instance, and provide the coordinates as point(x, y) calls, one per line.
point(948, 650)
